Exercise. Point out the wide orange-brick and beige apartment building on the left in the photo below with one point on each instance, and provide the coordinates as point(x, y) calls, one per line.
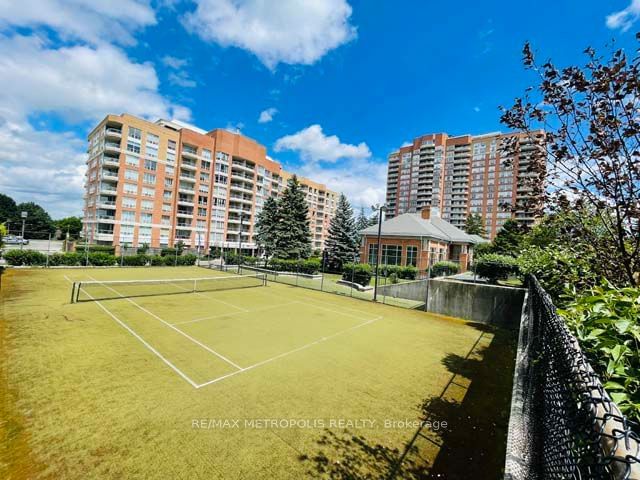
point(164, 182)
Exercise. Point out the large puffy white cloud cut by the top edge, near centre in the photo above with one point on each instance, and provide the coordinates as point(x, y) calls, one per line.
point(283, 31)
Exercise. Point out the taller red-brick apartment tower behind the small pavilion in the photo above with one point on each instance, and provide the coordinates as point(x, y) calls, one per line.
point(463, 175)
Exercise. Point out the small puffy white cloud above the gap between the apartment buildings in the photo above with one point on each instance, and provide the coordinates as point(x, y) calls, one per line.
point(314, 146)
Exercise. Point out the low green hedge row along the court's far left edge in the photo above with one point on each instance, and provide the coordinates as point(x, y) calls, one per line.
point(98, 259)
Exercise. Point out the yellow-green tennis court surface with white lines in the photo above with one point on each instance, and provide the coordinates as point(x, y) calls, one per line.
point(264, 382)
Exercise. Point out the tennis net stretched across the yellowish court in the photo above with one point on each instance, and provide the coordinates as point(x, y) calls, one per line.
point(105, 290)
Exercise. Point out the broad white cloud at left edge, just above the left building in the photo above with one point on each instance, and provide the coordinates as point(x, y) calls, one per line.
point(79, 82)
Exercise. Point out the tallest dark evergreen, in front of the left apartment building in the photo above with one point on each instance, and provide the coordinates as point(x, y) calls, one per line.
point(293, 237)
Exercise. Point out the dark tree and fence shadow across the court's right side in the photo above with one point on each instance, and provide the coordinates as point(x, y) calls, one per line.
point(475, 404)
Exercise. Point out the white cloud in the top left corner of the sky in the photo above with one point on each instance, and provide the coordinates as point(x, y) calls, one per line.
point(89, 20)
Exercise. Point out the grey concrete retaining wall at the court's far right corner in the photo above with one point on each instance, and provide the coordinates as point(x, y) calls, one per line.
point(489, 304)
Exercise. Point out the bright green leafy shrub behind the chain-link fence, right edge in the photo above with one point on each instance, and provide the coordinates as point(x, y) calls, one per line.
point(605, 321)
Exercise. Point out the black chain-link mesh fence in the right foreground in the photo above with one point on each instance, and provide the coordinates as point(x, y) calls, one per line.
point(563, 423)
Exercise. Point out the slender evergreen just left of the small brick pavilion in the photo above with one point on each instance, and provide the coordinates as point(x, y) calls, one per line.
point(342, 242)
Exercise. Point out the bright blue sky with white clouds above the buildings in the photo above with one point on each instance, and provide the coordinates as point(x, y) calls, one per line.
point(329, 86)
